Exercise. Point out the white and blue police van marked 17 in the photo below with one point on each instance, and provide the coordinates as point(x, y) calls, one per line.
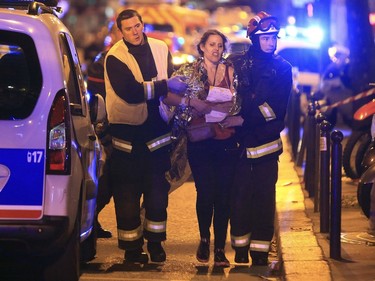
point(49, 153)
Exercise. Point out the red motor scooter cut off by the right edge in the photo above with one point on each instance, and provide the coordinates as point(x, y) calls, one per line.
point(366, 198)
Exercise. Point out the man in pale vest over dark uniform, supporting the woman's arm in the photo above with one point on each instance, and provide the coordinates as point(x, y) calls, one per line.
point(136, 79)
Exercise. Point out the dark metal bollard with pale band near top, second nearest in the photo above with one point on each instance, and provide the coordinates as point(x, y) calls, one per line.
point(325, 153)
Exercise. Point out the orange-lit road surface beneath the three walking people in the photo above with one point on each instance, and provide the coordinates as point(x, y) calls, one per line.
point(181, 244)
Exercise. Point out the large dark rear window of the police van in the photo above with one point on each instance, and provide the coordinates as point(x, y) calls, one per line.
point(20, 76)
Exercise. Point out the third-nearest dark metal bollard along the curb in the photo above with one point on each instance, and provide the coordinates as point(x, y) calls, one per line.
point(309, 175)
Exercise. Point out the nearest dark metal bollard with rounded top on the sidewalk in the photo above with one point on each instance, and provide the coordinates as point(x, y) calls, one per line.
point(335, 233)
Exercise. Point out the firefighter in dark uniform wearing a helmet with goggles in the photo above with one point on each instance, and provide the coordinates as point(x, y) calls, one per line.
point(264, 85)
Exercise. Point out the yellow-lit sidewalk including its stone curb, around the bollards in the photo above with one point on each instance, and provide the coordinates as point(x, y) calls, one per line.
point(303, 250)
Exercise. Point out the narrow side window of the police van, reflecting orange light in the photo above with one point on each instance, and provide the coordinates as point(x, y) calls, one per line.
point(72, 76)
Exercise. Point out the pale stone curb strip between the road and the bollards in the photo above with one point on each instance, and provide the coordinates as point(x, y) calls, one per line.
point(298, 249)
